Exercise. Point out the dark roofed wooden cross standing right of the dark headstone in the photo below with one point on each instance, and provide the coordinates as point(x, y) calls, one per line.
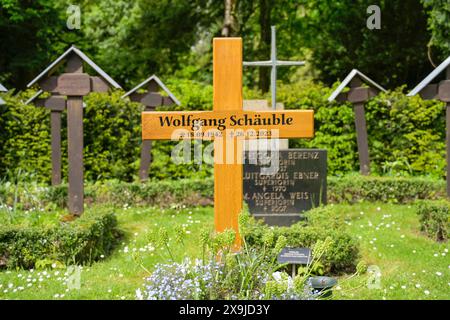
point(358, 95)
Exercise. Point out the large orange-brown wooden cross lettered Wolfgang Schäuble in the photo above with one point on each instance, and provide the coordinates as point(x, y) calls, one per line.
point(228, 111)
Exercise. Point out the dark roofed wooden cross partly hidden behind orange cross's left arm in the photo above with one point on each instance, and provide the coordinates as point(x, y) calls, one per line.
point(151, 99)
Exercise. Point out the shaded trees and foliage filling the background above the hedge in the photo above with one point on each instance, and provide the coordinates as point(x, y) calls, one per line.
point(133, 39)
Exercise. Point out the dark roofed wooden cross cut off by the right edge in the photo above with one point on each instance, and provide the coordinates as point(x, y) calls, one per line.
point(439, 91)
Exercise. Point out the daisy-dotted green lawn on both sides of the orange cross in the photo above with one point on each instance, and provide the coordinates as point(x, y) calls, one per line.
point(411, 265)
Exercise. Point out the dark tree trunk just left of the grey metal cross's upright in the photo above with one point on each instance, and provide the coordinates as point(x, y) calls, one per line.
point(265, 9)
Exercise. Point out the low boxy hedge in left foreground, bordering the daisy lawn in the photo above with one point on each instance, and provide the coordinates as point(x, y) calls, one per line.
point(82, 241)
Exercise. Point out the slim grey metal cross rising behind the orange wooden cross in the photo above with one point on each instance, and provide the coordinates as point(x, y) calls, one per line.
point(273, 63)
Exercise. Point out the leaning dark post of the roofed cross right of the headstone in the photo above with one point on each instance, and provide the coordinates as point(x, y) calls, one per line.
point(361, 137)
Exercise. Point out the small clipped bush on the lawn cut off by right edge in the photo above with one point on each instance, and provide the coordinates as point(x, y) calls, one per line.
point(434, 218)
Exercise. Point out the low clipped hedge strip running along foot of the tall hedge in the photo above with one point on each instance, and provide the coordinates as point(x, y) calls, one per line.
point(192, 192)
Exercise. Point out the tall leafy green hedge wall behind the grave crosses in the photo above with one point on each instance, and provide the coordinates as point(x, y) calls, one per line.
point(406, 134)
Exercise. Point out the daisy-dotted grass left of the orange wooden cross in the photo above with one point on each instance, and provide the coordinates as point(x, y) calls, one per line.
point(118, 276)
